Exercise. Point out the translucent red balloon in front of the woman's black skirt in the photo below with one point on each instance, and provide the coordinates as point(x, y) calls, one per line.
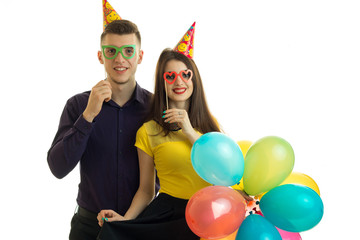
point(215, 212)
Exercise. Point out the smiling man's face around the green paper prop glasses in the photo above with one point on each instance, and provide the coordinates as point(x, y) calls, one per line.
point(121, 70)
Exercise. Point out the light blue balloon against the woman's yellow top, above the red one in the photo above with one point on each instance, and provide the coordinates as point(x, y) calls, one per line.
point(218, 159)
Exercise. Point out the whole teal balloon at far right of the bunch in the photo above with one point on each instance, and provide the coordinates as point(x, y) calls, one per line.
point(293, 208)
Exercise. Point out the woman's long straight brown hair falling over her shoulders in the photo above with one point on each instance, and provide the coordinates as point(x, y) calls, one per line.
point(199, 114)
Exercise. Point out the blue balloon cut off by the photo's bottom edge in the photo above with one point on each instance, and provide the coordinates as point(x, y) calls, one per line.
point(256, 227)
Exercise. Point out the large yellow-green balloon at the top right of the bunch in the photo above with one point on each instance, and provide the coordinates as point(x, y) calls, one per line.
point(268, 162)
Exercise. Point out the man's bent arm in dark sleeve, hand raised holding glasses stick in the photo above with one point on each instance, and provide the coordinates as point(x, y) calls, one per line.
point(74, 129)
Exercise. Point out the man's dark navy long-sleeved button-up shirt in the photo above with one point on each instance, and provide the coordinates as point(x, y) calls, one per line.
point(109, 167)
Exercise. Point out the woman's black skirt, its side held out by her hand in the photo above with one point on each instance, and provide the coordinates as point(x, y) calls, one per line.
point(163, 219)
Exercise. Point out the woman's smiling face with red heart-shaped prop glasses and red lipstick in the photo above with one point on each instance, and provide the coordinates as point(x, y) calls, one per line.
point(178, 82)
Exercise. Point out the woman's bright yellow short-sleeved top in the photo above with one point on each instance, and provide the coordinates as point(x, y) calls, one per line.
point(171, 156)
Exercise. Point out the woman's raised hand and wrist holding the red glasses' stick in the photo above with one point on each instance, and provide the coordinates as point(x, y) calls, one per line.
point(181, 118)
